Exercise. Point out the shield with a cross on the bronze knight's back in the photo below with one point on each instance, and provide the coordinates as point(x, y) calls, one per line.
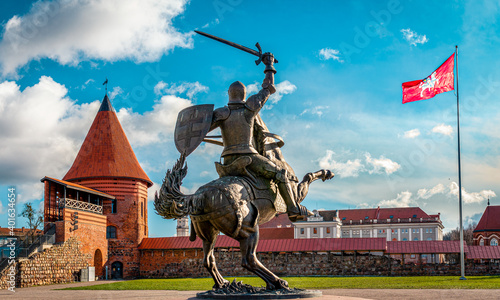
point(192, 126)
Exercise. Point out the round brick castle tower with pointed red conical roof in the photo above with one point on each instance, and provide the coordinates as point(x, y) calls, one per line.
point(107, 163)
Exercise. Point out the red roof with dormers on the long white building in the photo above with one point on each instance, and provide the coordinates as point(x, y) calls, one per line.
point(382, 213)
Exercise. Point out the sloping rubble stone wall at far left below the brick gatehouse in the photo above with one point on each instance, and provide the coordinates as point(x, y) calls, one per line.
point(59, 264)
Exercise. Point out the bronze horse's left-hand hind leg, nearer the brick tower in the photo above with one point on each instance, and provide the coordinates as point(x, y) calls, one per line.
point(208, 236)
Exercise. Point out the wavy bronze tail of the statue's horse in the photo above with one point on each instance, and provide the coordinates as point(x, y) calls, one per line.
point(171, 203)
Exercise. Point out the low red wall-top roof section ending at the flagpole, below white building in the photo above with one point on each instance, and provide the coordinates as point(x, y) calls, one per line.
point(423, 247)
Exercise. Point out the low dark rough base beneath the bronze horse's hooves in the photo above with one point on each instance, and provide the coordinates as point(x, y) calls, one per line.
point(239, 290)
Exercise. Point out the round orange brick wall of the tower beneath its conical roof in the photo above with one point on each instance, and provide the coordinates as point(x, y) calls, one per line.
point(130, 219)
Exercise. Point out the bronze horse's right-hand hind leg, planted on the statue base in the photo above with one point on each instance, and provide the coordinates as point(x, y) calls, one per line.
point(250, 262)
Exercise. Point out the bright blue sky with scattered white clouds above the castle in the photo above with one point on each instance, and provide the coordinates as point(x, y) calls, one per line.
point(338, 105)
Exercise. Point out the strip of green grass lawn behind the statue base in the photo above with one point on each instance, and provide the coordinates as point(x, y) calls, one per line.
point(417, 282)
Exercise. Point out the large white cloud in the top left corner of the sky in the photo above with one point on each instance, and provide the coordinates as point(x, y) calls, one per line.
point(71, 31)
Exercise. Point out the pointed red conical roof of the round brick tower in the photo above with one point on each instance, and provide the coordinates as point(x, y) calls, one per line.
point(106, 151)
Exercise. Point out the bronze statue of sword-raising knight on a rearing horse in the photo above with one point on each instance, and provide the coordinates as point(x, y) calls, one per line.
point(253, 176)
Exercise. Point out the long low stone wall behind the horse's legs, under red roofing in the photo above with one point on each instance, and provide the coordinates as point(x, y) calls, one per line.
point(188, 264)
